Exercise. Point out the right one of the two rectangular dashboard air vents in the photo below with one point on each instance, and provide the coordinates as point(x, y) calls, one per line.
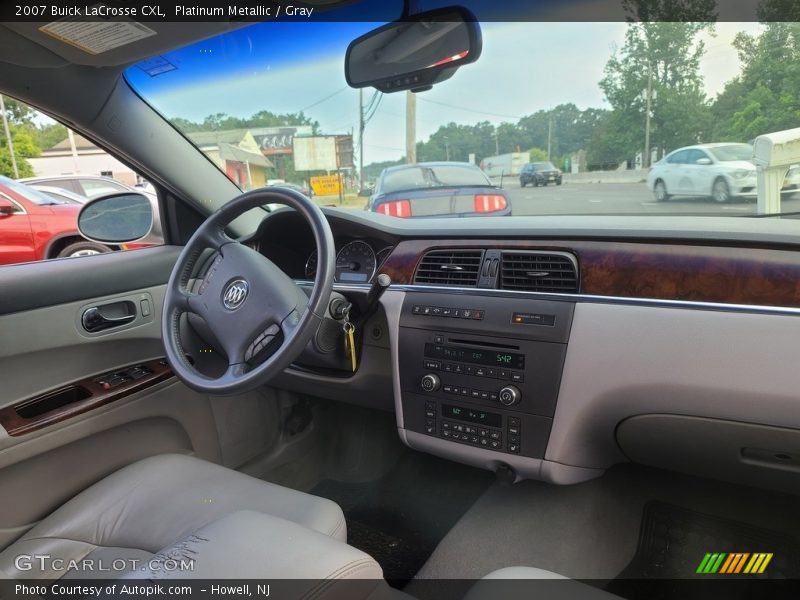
point(539, 272)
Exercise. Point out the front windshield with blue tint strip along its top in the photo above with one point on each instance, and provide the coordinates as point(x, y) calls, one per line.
point(269, 102)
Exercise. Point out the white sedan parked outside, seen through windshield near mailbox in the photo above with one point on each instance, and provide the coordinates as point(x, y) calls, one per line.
point(721, 171)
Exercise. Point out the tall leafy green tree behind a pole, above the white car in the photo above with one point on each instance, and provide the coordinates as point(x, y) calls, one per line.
point(664, 58)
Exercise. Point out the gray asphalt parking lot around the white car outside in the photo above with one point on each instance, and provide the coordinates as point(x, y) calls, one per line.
point(619, 198)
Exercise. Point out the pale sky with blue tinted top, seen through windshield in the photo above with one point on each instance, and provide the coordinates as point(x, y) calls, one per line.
point(288, 67)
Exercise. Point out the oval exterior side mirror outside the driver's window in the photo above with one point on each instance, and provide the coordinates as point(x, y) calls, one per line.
point(116, 218)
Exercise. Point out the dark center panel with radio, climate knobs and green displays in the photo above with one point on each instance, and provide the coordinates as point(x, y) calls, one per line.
point(482, 371)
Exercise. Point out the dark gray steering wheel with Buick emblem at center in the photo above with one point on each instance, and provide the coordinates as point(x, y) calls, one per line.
point(247, 302)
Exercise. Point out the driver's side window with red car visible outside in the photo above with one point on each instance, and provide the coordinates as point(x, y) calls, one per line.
point(51, 168)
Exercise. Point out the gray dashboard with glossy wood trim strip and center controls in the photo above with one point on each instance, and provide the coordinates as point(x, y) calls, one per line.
point(554, 354)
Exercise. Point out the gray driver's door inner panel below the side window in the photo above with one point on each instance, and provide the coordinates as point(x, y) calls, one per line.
point(44, 347)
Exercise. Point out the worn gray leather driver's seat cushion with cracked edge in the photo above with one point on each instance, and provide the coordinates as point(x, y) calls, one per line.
point(233, 525)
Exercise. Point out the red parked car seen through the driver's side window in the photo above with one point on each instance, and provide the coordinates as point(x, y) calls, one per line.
point(34, 226)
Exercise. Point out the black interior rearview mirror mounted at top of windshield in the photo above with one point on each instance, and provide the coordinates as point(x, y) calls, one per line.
point(415, 53)
